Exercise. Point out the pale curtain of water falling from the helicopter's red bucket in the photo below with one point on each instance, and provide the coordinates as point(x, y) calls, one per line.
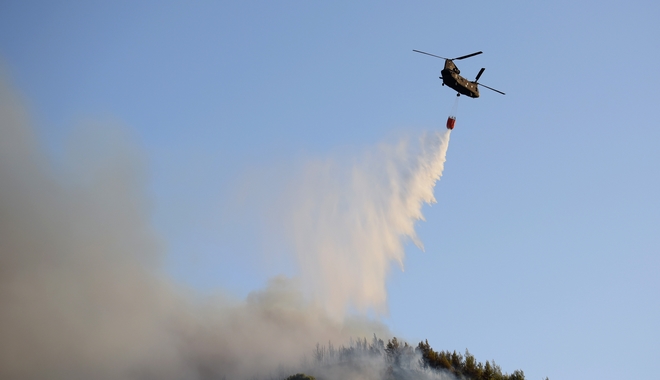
point(351, 221)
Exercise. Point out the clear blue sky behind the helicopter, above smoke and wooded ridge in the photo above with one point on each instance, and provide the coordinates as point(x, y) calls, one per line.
point(543, 251)
